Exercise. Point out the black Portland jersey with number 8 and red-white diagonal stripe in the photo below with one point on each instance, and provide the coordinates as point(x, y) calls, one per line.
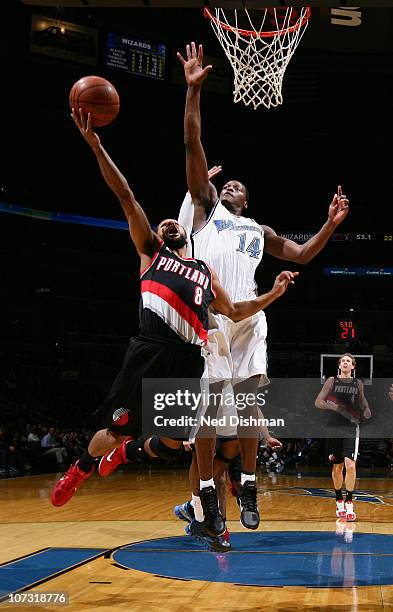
point(176, 294)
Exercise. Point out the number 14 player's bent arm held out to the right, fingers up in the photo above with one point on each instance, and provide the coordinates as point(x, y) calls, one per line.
point(286, 249)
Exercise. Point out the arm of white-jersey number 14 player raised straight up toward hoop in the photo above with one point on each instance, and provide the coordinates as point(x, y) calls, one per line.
point(196, 165)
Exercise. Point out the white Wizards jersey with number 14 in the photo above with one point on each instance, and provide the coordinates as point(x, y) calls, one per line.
point(232, 246)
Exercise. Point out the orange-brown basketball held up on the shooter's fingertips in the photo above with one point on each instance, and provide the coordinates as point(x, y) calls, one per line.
point(97, 96)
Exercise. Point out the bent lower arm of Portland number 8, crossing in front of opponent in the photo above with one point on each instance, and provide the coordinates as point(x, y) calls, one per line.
point(237, 311)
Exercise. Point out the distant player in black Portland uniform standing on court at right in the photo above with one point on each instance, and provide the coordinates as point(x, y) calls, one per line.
point(344, 396)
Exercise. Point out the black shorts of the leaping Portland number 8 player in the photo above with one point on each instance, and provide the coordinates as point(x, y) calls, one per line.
point(121, 411)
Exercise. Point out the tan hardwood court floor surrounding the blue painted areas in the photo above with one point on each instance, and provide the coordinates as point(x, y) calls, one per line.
point(133, 506)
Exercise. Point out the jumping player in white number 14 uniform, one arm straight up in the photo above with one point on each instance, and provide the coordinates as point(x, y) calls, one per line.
point(233, 245)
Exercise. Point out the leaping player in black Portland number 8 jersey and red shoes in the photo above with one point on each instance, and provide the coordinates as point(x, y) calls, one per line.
point(176, 295)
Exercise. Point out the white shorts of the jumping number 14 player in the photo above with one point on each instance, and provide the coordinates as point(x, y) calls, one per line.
point(236, 350)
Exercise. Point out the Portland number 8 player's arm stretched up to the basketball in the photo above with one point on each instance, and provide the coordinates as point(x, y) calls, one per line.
point(145, 240)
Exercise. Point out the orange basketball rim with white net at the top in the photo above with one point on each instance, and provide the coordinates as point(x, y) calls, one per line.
point(259, 57)
